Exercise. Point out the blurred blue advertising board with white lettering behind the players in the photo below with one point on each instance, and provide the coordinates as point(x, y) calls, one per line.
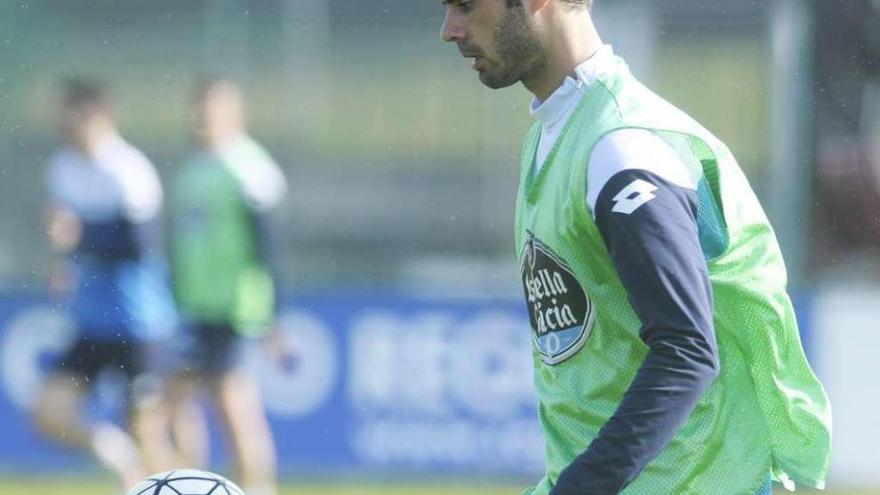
point(371, 384)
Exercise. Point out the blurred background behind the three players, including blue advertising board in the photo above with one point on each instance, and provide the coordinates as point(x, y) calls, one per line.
point(395, 237)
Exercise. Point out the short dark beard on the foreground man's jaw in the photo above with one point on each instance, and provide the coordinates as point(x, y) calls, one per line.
point(520, 51)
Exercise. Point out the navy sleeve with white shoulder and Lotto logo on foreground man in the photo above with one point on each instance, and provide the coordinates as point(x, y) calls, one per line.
point(644, 203)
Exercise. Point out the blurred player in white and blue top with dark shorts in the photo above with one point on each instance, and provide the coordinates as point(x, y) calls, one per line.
point(104, 198)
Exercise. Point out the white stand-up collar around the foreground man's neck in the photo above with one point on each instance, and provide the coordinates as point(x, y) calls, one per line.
point(554, 108)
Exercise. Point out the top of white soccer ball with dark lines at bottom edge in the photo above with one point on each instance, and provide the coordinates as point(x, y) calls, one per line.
point(186, 482)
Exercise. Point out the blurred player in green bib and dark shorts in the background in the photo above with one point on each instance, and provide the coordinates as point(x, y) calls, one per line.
point(222, 275)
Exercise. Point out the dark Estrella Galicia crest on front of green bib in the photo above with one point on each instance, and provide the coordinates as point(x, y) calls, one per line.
point(560, 312)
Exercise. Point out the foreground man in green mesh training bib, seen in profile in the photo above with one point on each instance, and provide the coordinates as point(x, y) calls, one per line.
point(667, 357)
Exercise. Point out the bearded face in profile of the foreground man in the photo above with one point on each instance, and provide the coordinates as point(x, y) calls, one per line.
point(502, 43)
